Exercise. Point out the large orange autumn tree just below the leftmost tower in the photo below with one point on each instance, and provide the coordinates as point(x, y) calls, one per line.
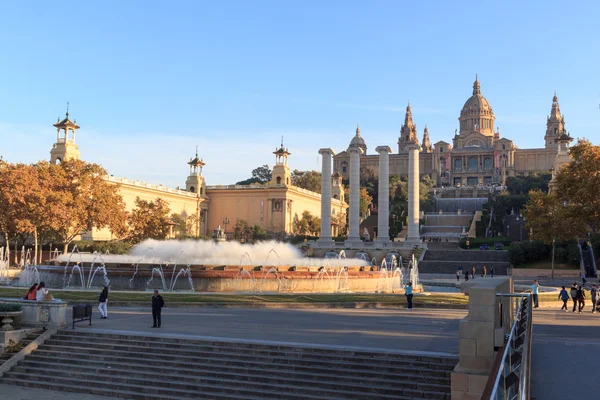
point(79, 199)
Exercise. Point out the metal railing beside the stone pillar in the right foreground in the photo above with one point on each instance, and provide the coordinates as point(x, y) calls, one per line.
point(509, 379)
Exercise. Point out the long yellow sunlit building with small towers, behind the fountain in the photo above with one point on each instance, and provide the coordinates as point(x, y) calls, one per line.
point(274, 206)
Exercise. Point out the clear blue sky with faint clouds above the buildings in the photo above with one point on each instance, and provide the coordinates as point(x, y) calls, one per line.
point(148, 81)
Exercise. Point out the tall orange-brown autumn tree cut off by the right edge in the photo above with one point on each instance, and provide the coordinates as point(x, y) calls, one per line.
point(578, 183)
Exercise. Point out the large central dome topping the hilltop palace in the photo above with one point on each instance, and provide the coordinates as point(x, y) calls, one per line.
point(477, 114)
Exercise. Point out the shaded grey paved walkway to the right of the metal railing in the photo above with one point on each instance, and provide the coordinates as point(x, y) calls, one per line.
point(565, 355)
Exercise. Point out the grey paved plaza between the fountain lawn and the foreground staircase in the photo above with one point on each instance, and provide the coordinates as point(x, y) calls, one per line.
point(419, 329)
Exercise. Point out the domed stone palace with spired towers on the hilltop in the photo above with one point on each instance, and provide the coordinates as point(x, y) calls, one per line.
point(477, 154)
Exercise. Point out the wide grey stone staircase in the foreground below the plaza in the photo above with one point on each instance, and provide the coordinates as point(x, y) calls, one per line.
point(134, 366)
